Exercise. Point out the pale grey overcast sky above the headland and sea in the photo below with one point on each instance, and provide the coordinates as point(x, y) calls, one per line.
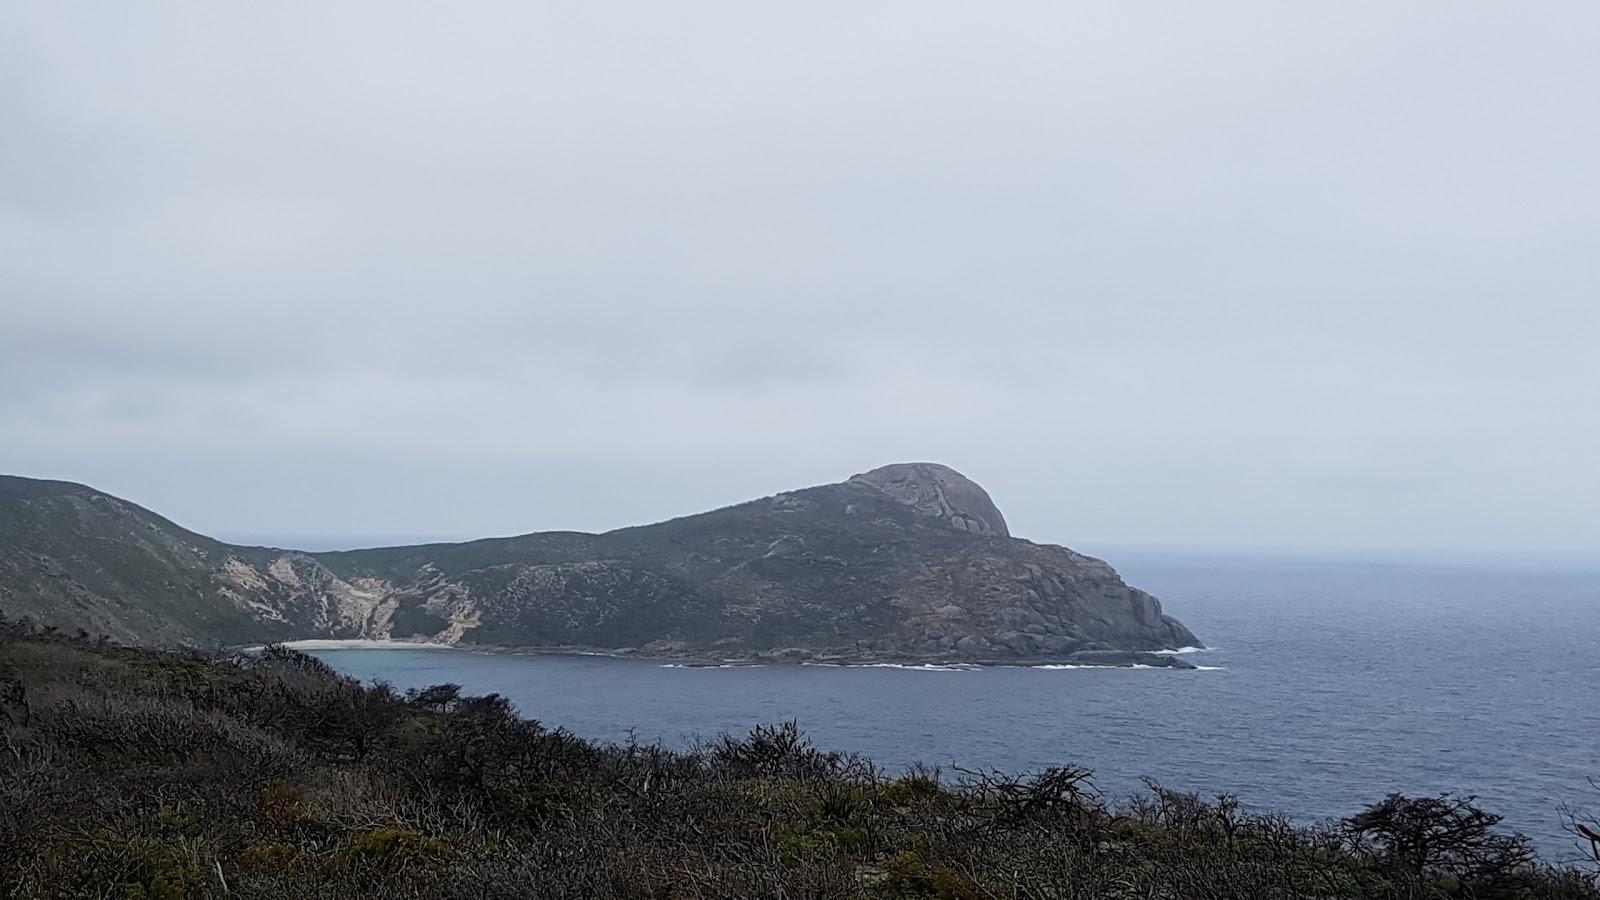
point(1257, 278)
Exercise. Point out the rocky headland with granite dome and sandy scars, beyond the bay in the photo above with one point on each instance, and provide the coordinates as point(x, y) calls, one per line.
point(903, 563)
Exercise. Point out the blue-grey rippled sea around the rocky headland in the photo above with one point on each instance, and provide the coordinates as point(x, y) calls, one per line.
point(1332, 686)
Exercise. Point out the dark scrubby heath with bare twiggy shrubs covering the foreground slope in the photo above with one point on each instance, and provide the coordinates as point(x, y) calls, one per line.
point(140, 774)
